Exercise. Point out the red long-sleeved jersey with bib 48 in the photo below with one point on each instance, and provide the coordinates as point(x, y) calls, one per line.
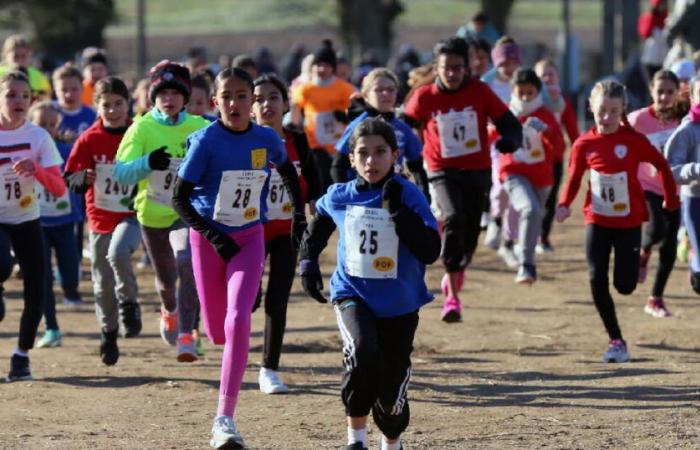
point(615, 198)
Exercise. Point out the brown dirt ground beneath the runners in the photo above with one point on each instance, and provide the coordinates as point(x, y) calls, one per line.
point(521, 371)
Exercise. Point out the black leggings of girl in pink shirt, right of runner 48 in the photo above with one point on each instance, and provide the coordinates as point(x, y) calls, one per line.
point(662, 228)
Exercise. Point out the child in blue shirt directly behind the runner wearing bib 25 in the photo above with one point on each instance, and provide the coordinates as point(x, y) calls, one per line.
point(379, 90)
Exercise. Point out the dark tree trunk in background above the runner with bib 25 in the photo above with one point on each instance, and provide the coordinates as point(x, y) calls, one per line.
point(367, 25)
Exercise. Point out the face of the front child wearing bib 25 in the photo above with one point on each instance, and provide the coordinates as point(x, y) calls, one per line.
point(372, 158)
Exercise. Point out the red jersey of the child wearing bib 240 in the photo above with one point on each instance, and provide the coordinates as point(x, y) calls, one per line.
point(97, 146)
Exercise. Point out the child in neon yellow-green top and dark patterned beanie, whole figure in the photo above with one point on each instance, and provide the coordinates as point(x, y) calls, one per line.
point(149, 155)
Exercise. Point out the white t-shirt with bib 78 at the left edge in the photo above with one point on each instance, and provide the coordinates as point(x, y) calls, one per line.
point(18, 203)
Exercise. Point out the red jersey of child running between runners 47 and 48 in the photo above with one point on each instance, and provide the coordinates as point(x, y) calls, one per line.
point(535, 158)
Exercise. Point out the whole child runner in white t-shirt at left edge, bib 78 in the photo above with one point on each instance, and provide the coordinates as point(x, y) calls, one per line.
point(27, 153)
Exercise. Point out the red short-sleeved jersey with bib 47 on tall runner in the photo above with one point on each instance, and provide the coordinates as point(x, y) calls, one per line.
point(454, 124)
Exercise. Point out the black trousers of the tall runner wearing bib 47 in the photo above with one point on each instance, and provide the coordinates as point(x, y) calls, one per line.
point(460, 195)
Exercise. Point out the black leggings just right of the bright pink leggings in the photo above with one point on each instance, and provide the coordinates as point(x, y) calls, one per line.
point(283, 260)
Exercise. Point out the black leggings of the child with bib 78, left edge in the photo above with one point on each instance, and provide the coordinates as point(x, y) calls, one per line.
point(27, 240)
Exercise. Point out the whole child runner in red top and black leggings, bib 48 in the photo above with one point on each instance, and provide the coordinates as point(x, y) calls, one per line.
point(614, 208)
